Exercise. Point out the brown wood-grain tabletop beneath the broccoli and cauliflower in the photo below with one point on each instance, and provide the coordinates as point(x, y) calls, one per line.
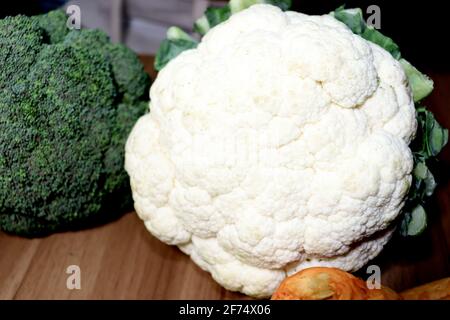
point(121, 260)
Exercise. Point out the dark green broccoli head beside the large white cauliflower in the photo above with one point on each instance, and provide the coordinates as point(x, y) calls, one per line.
point(68, 100)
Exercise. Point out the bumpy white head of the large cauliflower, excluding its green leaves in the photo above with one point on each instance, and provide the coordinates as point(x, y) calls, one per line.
point(279, 143)
